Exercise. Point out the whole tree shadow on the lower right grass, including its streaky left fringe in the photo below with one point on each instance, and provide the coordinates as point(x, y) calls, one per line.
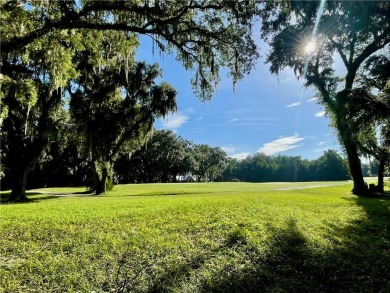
point(357, 259)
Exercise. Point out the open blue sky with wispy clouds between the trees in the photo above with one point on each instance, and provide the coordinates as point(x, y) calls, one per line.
point(265, 113)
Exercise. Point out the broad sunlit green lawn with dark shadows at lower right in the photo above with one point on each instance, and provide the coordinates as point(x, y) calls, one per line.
point(206, 237)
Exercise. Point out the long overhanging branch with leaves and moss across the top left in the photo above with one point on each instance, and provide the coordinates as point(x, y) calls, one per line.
point(204, 35)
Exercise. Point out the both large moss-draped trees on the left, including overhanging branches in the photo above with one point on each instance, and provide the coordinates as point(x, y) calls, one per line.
point(77, 58)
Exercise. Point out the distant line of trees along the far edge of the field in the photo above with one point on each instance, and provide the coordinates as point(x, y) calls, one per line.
point(166, 157)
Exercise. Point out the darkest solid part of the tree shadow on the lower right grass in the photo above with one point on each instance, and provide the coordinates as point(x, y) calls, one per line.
point(359, 260)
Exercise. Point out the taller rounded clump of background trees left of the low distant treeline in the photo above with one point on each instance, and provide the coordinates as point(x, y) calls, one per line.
point(166, 156)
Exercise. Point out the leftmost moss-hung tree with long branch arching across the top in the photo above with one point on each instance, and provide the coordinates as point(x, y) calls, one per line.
point(40, 39)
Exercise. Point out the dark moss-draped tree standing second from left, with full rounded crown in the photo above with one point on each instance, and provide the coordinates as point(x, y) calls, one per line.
point(115, 106)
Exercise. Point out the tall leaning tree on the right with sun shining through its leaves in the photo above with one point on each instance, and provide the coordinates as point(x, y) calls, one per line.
point(351, 30)
